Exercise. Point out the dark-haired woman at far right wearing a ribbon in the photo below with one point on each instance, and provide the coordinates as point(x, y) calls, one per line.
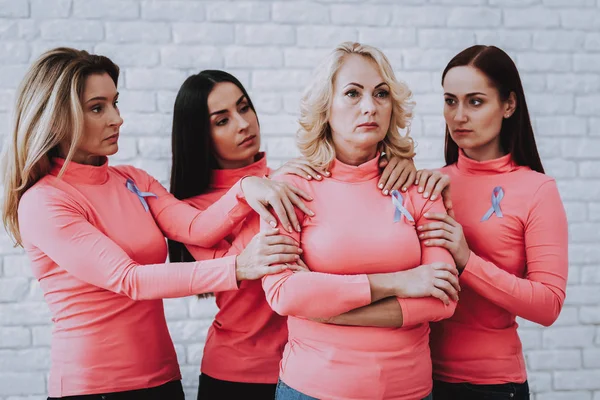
point(508, 237)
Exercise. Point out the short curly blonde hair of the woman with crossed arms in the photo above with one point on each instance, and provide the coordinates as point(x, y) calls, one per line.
point(314, 136)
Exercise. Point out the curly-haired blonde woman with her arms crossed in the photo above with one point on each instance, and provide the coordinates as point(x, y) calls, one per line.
point(362, 247)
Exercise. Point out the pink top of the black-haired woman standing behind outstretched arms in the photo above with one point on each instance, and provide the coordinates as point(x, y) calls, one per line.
point(246, 339)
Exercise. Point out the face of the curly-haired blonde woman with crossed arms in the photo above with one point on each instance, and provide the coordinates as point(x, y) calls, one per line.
point(361, 107)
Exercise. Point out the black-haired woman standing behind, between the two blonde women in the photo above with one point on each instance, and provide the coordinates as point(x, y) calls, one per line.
point(216, 141)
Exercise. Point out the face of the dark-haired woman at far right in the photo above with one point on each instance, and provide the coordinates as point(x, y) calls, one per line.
point(474, 111)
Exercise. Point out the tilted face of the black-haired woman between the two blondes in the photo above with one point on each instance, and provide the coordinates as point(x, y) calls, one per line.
point(233, 126)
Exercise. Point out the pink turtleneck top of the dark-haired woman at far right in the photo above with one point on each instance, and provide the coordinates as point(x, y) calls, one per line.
point(517, 267)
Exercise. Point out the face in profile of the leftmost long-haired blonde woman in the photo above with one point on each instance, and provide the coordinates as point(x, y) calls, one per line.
point(101, 121)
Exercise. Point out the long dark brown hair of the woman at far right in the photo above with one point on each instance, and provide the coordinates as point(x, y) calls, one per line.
point(516, 134)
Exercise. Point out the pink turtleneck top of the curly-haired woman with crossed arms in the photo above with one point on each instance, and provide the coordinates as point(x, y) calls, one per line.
point(353, 233)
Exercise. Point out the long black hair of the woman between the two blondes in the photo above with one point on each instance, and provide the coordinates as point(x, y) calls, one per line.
point(193, 157)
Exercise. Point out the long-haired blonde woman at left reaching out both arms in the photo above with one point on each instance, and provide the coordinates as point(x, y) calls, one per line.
point(95, 234)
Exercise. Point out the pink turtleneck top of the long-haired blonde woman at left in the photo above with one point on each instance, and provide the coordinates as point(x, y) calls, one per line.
point(99, 256)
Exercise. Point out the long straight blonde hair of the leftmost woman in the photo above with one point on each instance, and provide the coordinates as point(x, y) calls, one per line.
point(48, 111)
